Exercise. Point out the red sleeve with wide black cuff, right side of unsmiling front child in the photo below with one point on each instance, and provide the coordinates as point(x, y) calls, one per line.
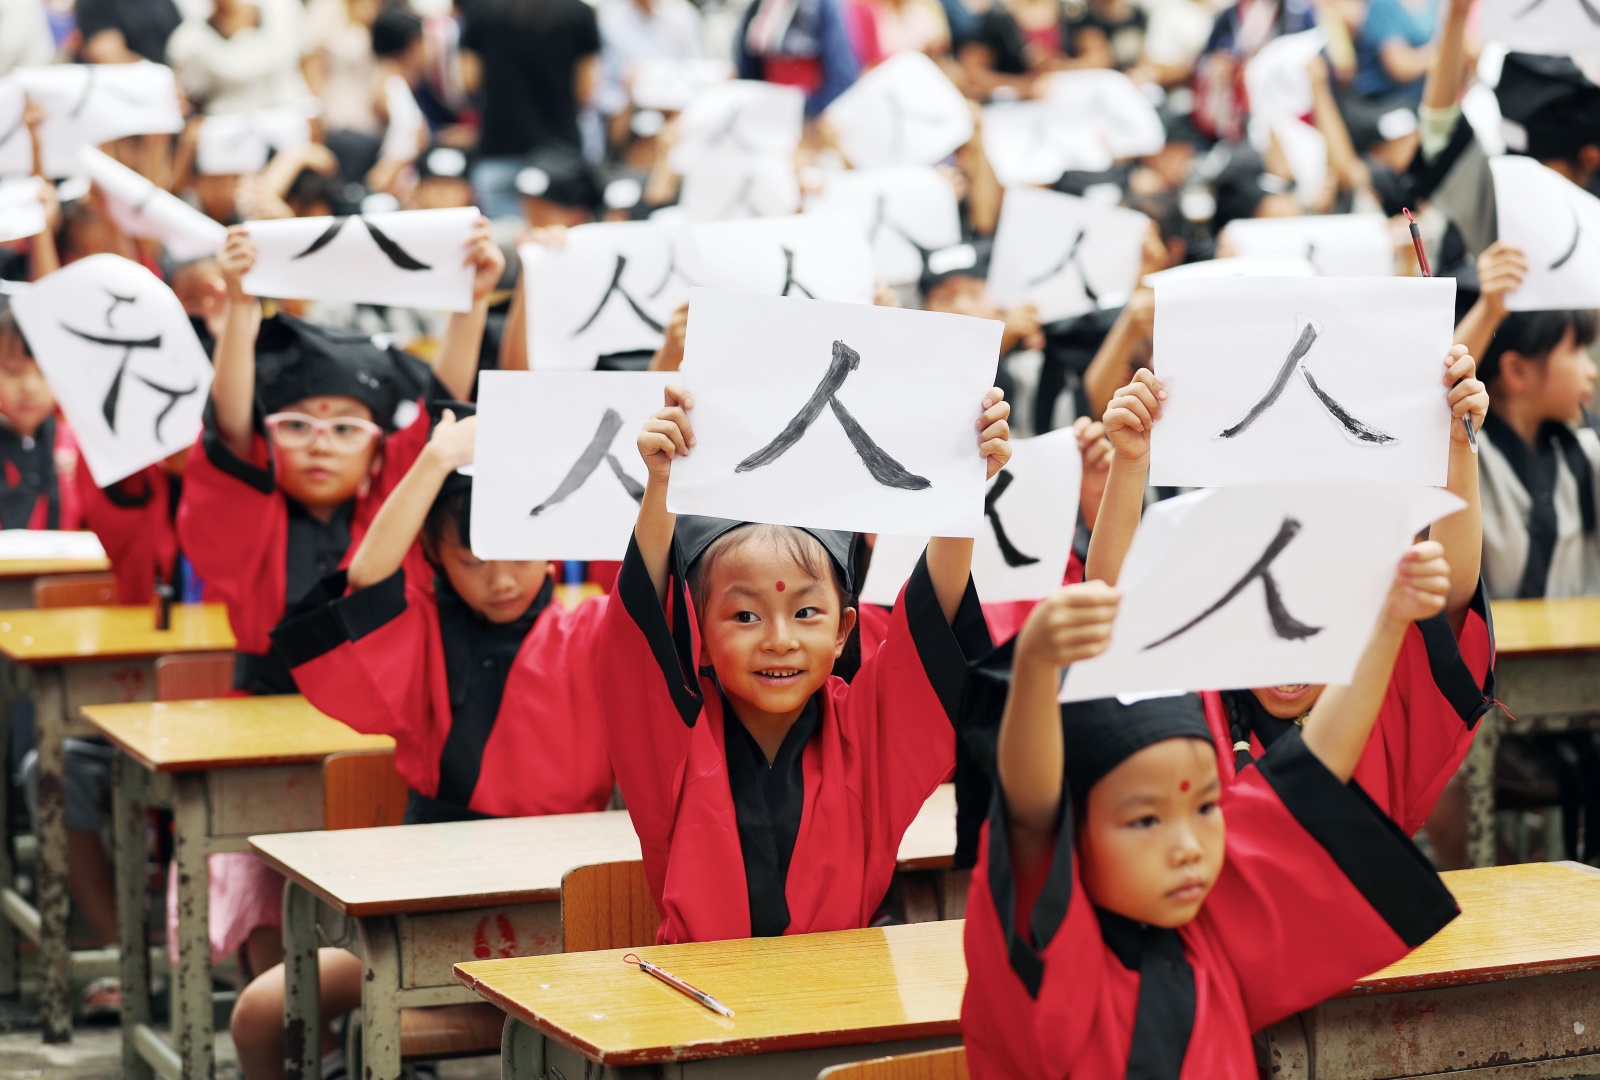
point(1319, 887)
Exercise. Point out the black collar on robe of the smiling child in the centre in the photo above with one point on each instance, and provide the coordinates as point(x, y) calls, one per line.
point(767, 804)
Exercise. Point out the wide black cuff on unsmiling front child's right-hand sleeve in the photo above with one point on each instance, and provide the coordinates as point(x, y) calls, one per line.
point(1369, 849)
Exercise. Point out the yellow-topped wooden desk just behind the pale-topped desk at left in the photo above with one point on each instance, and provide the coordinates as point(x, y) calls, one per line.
point(230, 767)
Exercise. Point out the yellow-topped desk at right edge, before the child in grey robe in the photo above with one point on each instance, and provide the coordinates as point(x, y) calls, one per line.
point(1548, 673)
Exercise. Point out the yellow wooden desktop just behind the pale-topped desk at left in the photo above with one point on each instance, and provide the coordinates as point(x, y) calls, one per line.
point(185, 737)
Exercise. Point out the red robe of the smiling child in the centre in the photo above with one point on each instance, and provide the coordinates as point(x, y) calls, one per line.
point(882, 745)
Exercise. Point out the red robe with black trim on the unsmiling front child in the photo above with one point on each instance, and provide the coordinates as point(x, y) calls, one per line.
point(1318, 892)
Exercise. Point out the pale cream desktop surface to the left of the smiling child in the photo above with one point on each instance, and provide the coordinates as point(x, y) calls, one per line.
point(449, 866)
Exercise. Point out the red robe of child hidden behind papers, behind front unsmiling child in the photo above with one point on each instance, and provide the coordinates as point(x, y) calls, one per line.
point(1439, 690)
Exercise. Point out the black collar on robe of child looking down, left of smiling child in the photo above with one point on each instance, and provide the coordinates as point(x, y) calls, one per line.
point(479, 657)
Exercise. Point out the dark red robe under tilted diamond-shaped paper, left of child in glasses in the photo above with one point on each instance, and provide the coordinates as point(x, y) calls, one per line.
point(135, 524)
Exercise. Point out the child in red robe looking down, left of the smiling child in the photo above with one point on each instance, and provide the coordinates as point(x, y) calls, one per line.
point(486, 682)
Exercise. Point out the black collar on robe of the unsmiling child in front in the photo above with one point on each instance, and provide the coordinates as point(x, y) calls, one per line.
point(1166, 1017)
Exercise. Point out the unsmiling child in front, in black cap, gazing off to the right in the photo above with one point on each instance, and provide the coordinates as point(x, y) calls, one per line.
point(1116, 929)
